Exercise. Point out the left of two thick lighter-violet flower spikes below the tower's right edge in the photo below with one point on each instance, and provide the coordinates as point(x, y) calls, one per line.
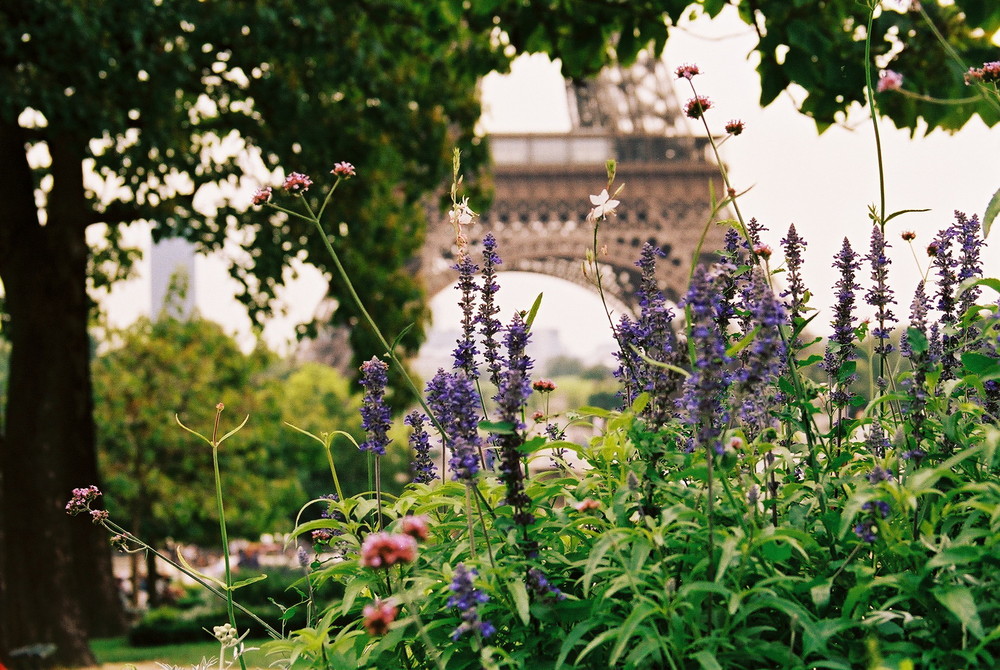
point(705, 388)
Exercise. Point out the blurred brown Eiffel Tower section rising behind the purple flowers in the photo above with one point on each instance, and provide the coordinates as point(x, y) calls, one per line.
point(542, 184)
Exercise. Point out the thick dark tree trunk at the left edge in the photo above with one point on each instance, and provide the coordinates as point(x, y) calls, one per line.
point(58, 586)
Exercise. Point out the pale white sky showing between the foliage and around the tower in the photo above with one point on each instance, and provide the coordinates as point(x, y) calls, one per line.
point(823, 184)
